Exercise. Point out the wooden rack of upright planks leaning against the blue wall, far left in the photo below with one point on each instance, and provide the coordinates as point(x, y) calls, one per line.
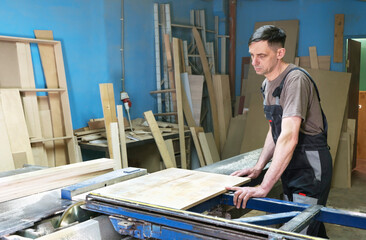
point(34, 129)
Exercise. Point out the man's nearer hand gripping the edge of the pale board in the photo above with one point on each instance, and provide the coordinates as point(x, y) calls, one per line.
point(242, 194)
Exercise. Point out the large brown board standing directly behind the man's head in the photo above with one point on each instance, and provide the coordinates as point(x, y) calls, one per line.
point(291, 28)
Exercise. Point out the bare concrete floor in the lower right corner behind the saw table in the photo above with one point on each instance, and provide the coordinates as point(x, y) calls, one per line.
point(352, 199)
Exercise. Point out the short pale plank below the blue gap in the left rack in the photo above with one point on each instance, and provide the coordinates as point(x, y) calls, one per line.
point(46, 126)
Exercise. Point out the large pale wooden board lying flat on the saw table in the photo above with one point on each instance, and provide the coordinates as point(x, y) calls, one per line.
point(173, 188)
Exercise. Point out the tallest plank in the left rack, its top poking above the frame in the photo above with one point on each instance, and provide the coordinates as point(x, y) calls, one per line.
point(48, 60)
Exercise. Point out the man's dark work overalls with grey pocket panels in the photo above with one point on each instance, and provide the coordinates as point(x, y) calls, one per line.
point(308, 176)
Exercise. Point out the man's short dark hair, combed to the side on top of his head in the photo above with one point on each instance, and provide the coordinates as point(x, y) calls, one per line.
point(269, 33)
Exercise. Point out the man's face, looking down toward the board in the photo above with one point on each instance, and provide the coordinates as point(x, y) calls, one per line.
point(264, 57)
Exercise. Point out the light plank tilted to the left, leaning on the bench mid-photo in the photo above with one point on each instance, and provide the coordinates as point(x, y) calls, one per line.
point(149, 116)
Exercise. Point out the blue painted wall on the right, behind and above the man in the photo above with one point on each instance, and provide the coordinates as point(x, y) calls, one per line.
point(316, 24)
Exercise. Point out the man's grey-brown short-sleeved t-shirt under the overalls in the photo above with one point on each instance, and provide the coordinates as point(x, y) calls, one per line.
point(298, 98)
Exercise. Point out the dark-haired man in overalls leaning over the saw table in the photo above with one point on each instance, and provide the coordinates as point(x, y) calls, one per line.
point(297, 137)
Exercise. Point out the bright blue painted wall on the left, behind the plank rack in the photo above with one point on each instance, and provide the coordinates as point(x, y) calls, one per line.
point(90, 33)
